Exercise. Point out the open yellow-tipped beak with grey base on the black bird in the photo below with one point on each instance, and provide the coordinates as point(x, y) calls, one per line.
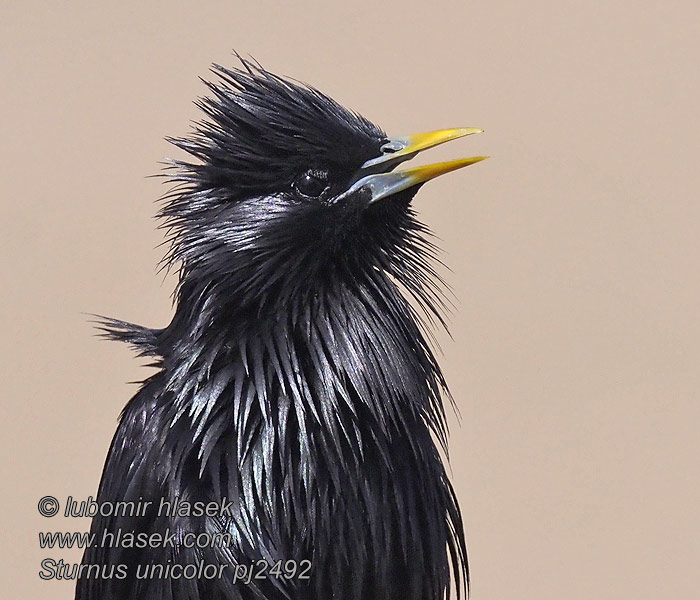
point(376, 174)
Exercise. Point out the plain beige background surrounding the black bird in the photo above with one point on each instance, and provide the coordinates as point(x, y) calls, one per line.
point(575, 252)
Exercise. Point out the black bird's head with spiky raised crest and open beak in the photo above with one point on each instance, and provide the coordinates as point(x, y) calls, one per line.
point(291, 192)
